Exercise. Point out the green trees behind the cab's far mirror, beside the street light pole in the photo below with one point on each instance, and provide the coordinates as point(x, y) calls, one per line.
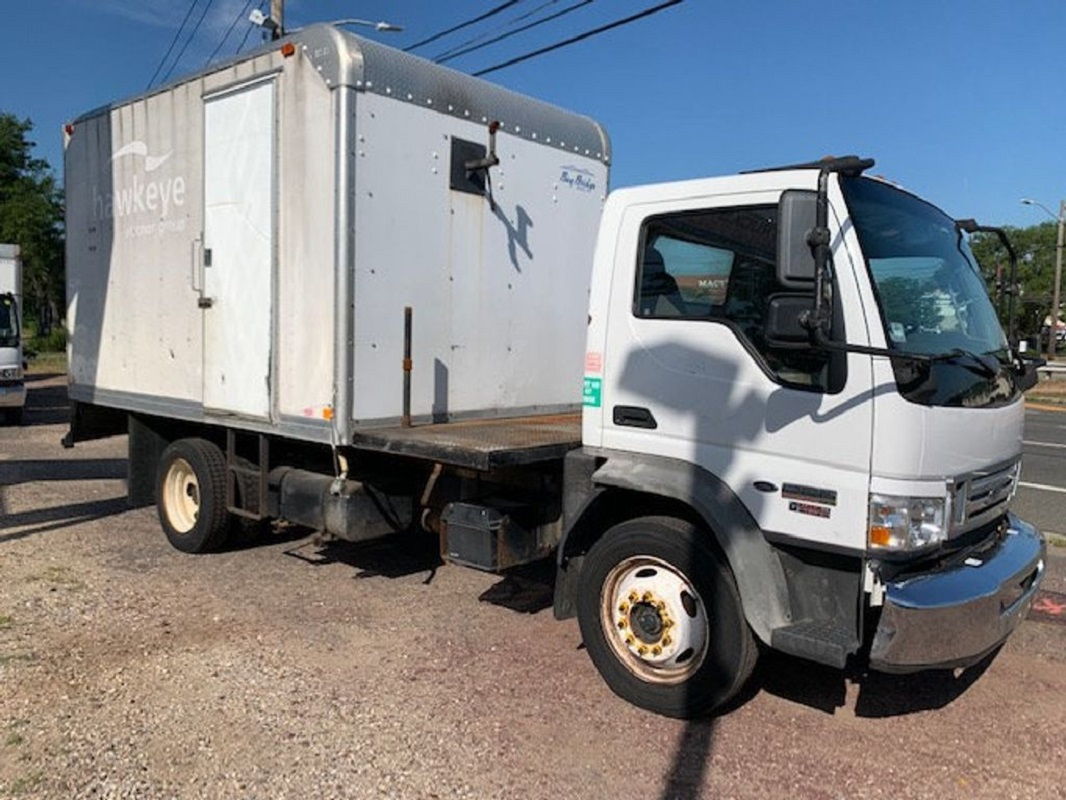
point(1037, 269)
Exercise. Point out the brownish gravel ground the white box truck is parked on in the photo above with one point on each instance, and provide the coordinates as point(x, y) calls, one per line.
point(130, 670)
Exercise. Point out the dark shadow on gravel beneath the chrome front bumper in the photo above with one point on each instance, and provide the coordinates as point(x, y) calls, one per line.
point(881, 695)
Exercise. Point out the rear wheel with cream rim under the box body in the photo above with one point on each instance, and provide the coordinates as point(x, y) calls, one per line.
point(191, 495)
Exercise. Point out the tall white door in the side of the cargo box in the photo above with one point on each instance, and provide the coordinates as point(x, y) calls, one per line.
point(238, 249)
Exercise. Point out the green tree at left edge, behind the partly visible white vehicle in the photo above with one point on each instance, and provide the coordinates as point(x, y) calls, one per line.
point(31, 216)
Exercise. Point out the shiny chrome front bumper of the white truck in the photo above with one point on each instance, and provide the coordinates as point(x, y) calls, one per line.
point(956, 617)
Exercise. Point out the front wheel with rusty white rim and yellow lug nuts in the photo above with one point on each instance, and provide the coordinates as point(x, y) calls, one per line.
point(663, 620)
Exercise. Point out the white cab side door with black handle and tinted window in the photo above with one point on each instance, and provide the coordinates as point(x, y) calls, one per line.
point(689, 374)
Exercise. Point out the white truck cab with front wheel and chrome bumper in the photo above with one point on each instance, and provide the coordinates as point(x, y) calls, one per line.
point(828, 451)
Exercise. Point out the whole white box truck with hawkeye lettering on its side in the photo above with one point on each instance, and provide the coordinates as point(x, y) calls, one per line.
point(335, 284)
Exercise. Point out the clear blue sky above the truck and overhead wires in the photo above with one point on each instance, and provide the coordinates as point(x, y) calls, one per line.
point(964, 103)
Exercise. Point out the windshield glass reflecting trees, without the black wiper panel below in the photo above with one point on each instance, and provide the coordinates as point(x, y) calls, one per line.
point(933, 299)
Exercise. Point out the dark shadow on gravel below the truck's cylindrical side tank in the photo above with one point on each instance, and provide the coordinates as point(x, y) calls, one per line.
point(391, 557)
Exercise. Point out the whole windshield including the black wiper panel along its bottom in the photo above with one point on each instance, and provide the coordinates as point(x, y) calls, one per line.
point(932, 297)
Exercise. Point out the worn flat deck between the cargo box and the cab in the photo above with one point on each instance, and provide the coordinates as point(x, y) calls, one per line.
point(480, 444)
